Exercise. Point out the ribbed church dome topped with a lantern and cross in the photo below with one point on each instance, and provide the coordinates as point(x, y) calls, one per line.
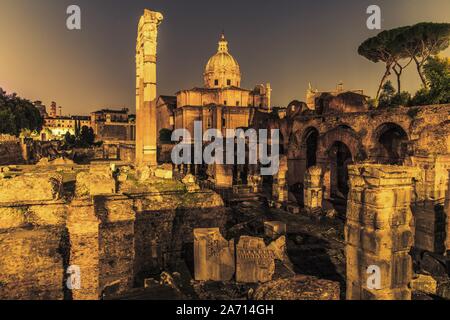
point(222, 70)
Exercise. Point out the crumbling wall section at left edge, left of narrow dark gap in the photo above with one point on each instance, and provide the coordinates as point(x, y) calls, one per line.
point(31, 235)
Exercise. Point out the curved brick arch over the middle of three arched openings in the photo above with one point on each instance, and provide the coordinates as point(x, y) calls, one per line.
point(347, 136)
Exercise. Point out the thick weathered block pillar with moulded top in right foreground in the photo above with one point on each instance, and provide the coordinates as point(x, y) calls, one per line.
point(379, 232)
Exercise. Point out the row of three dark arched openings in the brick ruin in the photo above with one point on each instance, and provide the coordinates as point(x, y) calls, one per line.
point(340, 147)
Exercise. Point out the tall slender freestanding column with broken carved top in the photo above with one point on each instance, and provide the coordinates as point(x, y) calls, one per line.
point(146, 126)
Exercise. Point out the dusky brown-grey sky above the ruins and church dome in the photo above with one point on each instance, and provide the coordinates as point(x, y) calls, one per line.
point(285, 42)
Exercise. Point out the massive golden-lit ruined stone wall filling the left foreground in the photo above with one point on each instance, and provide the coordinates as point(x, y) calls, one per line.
point(115, 240)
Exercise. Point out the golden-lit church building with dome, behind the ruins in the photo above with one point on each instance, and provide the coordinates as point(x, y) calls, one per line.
point(221, 103)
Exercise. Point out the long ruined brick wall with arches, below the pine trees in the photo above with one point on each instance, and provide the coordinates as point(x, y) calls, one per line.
point(426, 130)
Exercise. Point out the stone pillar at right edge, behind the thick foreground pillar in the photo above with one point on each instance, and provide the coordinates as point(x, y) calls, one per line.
point(428, 206)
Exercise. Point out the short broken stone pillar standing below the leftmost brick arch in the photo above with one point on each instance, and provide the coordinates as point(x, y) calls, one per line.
point(313, 193)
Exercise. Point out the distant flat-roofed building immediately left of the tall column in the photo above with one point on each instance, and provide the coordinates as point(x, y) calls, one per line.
point(113, 125)
